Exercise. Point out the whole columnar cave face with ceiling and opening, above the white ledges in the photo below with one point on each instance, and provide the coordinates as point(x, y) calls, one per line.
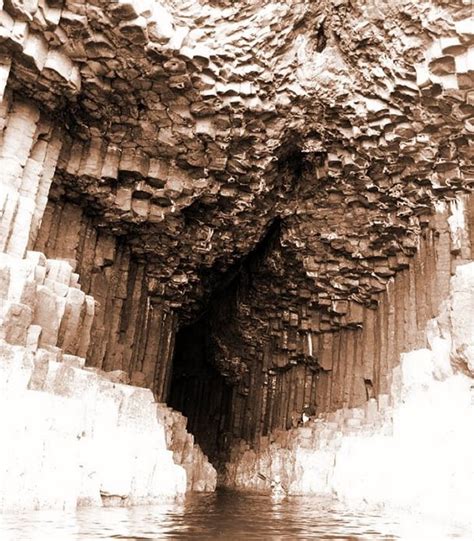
point(249, 208)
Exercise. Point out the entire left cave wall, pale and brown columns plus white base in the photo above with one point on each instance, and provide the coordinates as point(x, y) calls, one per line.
point(75, 435)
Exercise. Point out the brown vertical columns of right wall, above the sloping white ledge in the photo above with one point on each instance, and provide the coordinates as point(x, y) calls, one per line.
point(338, 369)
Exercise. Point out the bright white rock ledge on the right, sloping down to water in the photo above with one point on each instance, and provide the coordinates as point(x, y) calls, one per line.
point(406, 451)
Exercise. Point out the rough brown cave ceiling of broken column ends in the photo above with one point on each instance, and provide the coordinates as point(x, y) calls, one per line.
point(191, 127)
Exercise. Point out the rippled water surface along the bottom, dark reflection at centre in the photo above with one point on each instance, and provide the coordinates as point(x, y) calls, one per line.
point(224, 515)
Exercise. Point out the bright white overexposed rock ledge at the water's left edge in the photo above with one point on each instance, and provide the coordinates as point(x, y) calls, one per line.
point(74, 438)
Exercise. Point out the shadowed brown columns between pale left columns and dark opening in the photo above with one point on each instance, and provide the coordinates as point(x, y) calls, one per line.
point(132, 330)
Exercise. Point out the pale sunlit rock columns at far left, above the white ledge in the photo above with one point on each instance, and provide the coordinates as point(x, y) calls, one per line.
point(41, 305)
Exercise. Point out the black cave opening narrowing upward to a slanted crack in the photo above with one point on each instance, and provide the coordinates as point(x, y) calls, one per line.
point(203, 385)
